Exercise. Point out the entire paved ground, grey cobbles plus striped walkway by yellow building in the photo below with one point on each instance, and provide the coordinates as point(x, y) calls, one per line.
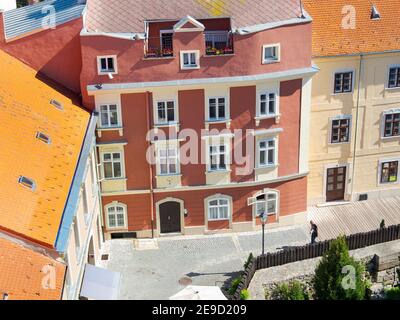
point(212, 260)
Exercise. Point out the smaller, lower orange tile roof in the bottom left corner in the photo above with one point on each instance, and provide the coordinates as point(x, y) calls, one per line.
point(26, 274)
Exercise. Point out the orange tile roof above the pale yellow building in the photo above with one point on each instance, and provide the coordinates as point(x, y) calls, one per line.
point(330, 39)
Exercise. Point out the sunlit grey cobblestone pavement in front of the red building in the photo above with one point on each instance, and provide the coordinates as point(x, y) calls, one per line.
point(206, 260)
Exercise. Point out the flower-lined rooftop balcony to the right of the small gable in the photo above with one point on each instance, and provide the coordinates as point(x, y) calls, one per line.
point(219, 43)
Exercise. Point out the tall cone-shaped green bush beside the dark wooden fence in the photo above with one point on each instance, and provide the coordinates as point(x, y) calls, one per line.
point(333, 278)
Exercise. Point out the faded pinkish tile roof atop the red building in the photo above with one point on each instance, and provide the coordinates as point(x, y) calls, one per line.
point(128, 16)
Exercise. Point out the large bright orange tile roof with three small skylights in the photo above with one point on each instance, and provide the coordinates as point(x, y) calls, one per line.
point(25, 109)
